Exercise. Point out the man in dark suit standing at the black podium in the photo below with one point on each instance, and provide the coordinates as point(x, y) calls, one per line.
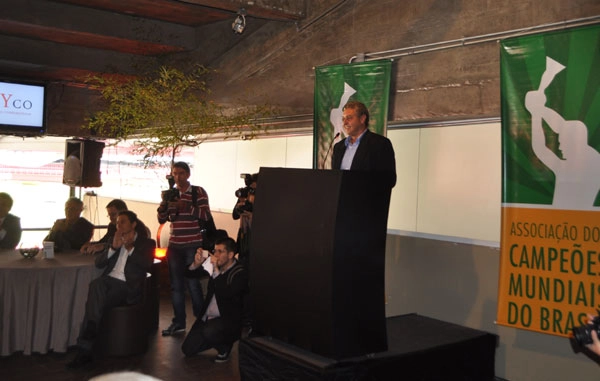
point(363, 150)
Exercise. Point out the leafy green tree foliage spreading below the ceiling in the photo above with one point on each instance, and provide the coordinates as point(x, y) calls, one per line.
point(169, 110)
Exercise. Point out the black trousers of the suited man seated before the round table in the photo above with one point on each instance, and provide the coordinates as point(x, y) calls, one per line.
point(104, 293)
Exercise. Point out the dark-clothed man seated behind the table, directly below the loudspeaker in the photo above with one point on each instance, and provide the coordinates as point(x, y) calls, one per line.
point(73, 231)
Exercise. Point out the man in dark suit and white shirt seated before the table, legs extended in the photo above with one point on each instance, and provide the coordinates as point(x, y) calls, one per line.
point(126, 262)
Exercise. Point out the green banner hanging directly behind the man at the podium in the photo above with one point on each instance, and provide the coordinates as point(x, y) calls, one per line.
point(366, 82)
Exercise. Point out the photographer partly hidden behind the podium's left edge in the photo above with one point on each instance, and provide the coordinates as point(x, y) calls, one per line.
point(243, 211)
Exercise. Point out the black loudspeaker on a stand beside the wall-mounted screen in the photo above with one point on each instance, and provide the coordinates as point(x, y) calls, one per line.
point(82, 163)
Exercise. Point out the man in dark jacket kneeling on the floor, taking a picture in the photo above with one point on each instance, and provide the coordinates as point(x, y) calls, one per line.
point(220, 323)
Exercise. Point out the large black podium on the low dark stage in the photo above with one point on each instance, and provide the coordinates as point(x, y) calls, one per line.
point(318, 257)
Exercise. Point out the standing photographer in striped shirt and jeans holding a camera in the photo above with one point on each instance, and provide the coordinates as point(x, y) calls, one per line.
point(185, 206)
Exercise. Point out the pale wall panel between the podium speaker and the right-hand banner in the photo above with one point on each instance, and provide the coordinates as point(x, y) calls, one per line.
point(449, 182)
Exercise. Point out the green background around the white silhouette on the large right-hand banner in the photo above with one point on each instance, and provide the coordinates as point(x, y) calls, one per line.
point(572, 92)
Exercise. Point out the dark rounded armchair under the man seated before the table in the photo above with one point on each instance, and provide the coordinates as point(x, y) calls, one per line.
point(124, 330)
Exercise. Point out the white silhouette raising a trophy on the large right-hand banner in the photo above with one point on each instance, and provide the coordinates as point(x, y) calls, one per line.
point(577, 173)
